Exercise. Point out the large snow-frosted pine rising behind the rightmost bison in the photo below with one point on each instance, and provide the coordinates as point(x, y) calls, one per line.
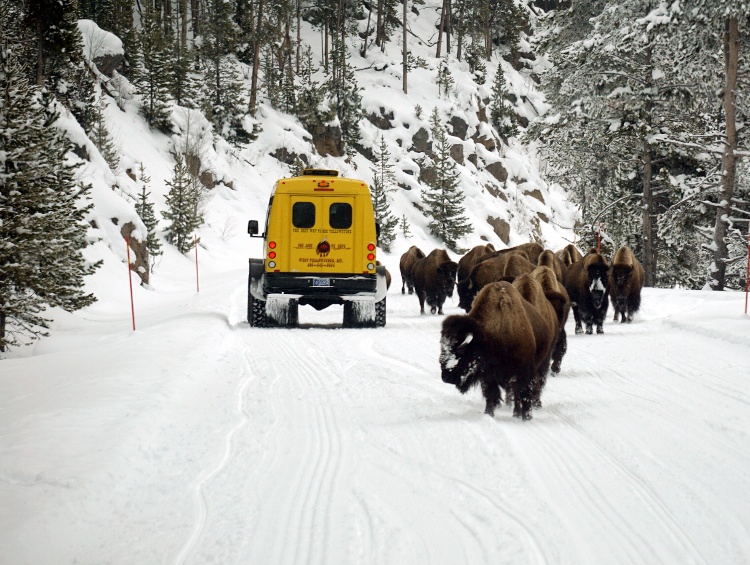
point(627, 117)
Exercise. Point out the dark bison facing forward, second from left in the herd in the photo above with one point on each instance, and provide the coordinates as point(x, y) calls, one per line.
point(434, 278)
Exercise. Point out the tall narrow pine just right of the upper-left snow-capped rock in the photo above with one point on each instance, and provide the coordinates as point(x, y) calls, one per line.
point(151, 71)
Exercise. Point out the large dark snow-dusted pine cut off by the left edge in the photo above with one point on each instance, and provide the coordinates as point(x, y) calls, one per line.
point(42, 233)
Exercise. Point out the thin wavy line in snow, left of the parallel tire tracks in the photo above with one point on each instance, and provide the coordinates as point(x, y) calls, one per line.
point(229, 451)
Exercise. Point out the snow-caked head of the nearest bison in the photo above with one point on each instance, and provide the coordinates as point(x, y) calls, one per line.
point(459, 351)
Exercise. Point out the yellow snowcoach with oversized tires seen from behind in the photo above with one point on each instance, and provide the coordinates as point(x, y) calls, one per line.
point(319, 249)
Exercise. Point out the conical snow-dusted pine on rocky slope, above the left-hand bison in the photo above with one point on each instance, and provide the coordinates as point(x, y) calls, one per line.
point(443, 199)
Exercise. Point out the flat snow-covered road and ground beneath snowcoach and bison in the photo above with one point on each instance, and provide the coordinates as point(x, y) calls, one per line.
point(197, 439)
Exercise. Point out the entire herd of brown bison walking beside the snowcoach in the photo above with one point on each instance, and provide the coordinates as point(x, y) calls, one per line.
point(517, 302)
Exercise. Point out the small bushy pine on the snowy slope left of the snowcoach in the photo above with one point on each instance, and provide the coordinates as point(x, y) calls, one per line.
point(184, 201)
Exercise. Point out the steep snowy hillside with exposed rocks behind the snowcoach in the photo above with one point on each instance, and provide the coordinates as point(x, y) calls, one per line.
point(519, 208)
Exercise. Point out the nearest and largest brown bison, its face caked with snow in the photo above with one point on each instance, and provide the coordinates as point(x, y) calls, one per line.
point(497, 345)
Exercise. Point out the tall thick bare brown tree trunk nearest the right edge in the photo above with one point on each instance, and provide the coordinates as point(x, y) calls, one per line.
point(729, 165)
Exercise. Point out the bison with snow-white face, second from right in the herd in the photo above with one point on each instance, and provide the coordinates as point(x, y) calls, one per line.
point(587, 284)
